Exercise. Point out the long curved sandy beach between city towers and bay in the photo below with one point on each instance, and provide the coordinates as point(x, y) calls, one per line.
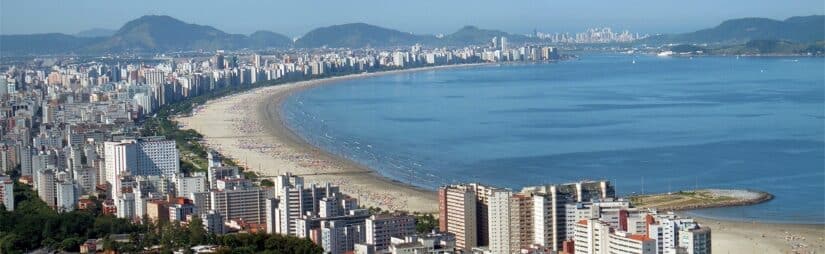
point(248, 127)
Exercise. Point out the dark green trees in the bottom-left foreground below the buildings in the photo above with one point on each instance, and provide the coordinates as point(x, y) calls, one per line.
point(33, 225)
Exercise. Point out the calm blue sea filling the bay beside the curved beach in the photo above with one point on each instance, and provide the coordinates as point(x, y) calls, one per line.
point(657, 125)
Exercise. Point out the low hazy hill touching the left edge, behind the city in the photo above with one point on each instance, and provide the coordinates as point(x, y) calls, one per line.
point(41, 44)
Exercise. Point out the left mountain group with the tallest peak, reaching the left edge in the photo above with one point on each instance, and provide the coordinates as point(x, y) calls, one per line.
point(145, 34)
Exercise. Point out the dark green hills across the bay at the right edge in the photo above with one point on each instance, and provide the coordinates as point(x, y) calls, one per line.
point(738, 31)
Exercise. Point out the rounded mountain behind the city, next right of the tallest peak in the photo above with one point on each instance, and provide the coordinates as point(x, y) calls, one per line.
point(356, 35)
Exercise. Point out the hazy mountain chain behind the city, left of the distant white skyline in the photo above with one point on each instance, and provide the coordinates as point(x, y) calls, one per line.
point(163, 33)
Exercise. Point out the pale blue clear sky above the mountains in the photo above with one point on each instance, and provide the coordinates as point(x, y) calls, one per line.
point(296, 17)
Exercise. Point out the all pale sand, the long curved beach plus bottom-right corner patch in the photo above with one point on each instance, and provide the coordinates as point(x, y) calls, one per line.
point(247, 127)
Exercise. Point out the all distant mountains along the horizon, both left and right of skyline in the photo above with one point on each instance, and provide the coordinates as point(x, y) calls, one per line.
point(163, 33)
